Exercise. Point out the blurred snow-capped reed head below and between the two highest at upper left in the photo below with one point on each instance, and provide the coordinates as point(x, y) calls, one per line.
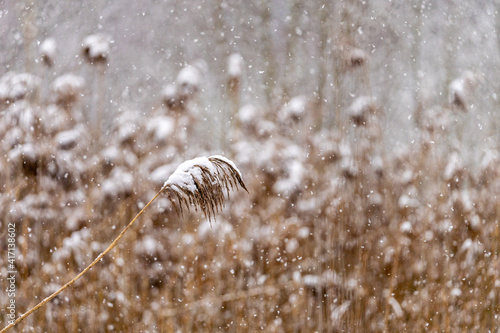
point(68, 89)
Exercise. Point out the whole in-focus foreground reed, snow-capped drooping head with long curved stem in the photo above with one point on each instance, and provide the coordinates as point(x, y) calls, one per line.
point(203, 182)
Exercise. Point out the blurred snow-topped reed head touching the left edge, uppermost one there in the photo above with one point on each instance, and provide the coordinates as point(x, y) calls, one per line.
point(15, 86)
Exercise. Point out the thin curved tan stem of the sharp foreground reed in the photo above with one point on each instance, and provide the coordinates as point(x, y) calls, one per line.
point(99, 257)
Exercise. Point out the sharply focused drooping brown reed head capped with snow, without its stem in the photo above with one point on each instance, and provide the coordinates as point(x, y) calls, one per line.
point(203, 182)
